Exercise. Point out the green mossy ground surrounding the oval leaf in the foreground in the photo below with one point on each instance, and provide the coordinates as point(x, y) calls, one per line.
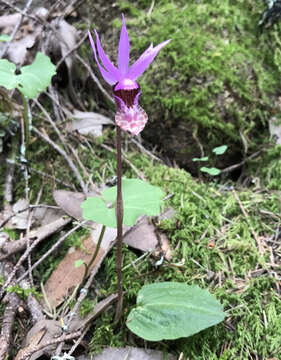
point(213, 246)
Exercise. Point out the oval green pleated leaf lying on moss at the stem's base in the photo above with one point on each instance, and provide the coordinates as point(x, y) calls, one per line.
point(170, 310)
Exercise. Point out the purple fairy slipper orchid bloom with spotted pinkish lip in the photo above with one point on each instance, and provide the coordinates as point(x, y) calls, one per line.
point(129, 116)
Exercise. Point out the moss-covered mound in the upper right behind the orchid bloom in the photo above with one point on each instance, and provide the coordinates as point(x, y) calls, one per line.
point(216, 79)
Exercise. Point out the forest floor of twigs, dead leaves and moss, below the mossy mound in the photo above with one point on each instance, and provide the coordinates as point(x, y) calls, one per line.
point(214, 232)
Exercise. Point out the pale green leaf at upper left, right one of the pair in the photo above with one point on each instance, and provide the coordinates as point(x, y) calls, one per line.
point(36, 77)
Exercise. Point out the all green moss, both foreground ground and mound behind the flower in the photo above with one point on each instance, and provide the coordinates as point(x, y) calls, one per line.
point(223, 79)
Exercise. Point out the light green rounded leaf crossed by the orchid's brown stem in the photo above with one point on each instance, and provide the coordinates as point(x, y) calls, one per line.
point(139, 198)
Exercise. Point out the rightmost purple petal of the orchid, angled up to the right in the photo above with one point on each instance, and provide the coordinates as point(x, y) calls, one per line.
point(144, 60)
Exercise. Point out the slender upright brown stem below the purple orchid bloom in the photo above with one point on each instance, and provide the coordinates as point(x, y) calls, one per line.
point(119, 220)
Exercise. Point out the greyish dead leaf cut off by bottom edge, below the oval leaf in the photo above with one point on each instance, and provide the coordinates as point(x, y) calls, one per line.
point(130, 353)
